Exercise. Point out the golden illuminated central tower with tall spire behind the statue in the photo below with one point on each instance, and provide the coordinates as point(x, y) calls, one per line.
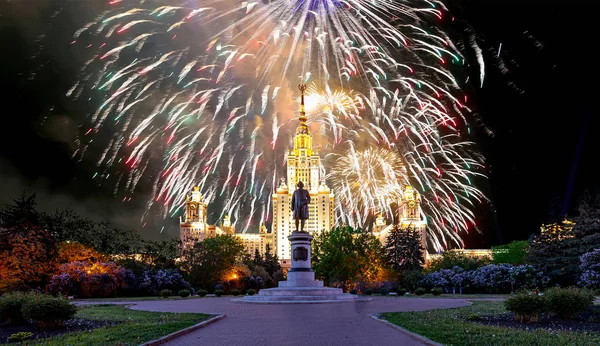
point(303, 164)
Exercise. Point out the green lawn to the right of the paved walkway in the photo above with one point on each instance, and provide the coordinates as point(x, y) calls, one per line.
point(450, 327)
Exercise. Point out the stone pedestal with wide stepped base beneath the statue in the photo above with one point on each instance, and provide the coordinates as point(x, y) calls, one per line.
point(301, 286)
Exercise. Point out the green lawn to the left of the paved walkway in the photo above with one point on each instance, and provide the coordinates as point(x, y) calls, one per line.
point(136, 328)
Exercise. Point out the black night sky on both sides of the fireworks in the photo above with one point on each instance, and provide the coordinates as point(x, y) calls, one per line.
point(541, 109)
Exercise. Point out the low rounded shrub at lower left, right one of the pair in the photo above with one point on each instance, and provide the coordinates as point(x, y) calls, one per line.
point(47, 311)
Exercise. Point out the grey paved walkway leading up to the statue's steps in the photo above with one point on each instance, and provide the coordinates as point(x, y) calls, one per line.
point(297, 324)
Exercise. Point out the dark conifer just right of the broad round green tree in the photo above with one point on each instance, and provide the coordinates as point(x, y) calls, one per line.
point(403, 249)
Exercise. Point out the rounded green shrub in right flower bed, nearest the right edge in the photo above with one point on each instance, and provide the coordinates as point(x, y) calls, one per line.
point(568, 302)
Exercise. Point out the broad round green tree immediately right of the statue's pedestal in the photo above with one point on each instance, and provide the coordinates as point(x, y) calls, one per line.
point(346, 256)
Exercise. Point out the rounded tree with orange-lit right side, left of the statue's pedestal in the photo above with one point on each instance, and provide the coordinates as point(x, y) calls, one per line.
point(209, 260)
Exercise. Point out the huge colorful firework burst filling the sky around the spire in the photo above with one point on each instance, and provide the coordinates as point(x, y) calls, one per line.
point(201, 95)
